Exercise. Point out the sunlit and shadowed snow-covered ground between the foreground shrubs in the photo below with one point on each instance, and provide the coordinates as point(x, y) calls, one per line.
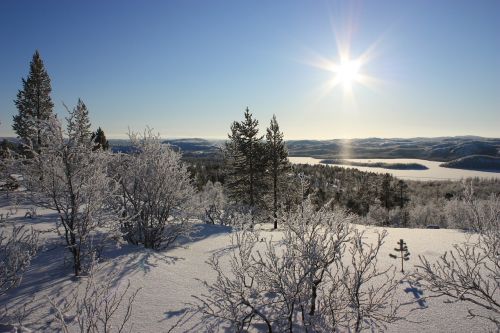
point(170, 278)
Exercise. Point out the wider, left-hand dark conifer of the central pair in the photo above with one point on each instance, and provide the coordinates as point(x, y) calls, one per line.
point(245, 163)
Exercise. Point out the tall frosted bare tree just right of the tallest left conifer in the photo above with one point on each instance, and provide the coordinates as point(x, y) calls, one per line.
point(67, 176)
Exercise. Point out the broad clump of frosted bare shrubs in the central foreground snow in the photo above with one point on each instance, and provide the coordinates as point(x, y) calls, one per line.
point(303, 282)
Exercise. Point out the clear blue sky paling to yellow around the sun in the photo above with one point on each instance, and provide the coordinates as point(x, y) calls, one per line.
point(189, 68)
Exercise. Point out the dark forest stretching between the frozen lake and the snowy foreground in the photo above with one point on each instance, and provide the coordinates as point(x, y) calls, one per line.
point(380, 199)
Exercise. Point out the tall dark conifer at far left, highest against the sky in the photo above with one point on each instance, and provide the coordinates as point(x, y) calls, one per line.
point(33, 103)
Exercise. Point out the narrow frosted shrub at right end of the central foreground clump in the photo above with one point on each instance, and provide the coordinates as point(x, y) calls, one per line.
point(361, 295)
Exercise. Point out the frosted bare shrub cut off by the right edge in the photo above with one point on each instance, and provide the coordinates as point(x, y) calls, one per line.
point(471, 272)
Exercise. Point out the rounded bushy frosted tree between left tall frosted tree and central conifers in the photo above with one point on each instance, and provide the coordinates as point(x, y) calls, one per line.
point(155, 191)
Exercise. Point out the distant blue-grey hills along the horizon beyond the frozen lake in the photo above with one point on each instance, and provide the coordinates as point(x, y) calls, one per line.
point(443, 149)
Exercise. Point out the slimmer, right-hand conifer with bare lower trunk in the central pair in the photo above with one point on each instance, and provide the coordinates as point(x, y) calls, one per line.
point(277, 156)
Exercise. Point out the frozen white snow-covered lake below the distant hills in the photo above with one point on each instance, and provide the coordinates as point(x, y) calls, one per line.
point(434, 171)
